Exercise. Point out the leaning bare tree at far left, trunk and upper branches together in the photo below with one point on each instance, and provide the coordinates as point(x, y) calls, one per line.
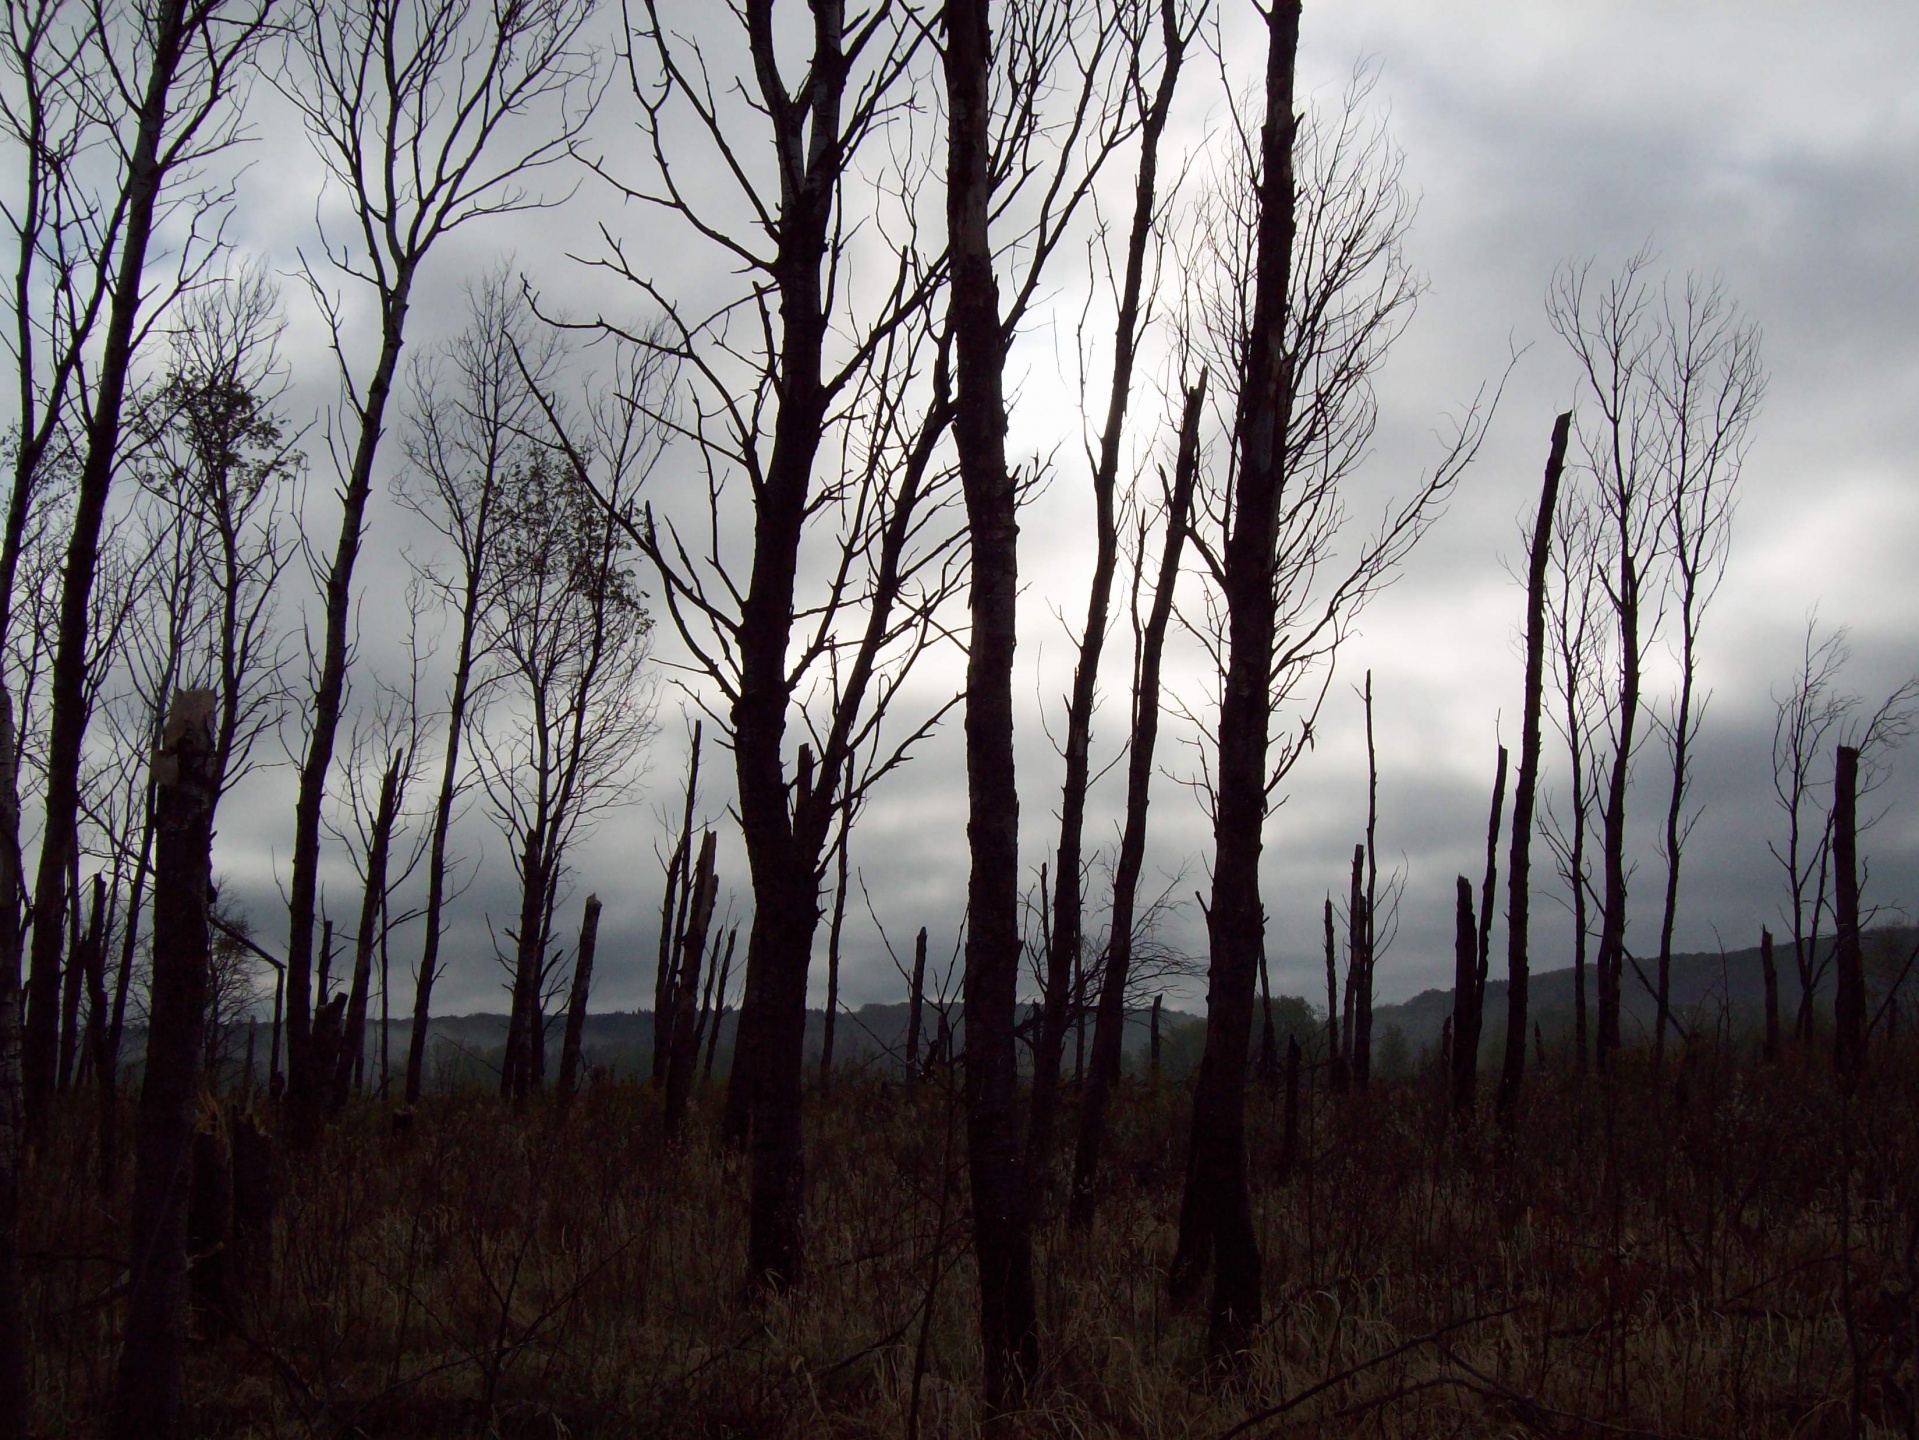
point(176, 78)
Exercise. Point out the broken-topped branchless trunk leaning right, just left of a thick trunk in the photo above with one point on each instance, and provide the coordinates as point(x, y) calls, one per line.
point(1110, 1030)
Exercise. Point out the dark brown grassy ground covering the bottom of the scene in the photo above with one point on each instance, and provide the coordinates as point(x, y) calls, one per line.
point(1724, 1251)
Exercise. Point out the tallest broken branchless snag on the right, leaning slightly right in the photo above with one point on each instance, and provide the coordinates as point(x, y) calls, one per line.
point(1519, 873)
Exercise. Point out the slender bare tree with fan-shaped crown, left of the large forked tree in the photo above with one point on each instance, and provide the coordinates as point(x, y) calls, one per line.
point(429, 114)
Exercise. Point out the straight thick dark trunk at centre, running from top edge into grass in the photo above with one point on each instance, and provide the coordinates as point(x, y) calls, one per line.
point(1003, 1241)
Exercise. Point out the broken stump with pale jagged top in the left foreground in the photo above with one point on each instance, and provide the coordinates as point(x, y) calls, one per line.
point(147, 1399)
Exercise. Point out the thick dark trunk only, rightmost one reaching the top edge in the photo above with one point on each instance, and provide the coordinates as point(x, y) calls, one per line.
point(1216, 1214)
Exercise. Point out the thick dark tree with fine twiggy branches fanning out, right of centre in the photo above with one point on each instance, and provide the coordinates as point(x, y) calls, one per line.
point(1300, 314)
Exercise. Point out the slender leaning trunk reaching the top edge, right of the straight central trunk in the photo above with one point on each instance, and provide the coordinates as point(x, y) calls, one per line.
point(1068, 936)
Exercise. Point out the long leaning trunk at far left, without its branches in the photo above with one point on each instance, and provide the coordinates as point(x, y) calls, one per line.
point(68, 719)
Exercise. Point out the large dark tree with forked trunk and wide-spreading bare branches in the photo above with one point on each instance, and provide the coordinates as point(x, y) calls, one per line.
point(820, 427)
